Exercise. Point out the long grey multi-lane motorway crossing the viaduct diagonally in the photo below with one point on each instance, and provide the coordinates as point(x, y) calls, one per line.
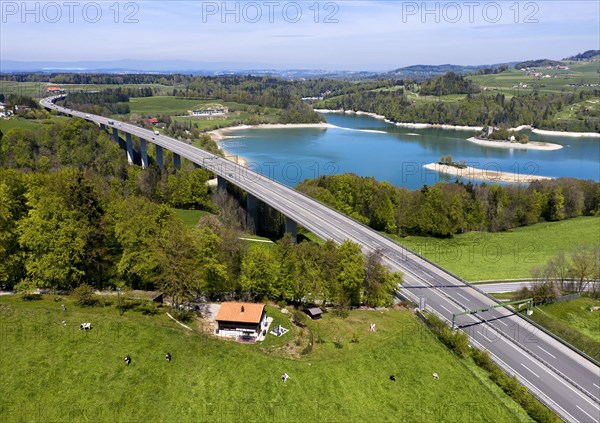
point(564, 380)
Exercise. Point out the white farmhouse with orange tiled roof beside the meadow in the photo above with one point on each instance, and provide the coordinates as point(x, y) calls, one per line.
point(244, 321)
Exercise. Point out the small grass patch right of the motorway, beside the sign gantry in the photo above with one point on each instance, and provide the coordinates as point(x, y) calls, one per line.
point(574, 322)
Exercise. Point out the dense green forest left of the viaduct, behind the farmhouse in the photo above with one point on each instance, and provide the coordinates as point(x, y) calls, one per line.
point(73, 213)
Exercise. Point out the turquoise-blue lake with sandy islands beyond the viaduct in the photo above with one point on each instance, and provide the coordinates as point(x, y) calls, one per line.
point(371, 147)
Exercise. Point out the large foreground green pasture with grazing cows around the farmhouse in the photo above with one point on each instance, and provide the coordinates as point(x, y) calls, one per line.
point(55, 372)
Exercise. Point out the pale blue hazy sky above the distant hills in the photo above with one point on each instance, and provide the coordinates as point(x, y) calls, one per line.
point(329, 35)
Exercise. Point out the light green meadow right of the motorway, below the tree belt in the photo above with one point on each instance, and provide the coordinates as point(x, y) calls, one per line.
point(505, 255)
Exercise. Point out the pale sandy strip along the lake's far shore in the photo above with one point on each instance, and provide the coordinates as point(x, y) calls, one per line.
point(459, 127)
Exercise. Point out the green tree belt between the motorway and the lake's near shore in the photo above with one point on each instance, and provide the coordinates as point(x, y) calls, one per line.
point(449, 208)
